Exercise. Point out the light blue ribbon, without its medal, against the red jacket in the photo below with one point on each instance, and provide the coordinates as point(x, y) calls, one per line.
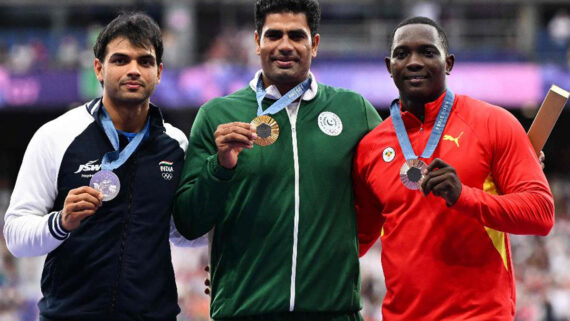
point(438, 127)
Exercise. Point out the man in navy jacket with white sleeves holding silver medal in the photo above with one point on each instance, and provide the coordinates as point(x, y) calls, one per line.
point(106, 259)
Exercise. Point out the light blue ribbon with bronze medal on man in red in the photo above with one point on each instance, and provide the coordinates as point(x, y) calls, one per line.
point(411, 171)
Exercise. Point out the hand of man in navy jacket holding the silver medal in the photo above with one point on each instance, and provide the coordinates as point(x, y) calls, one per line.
point(80, 203)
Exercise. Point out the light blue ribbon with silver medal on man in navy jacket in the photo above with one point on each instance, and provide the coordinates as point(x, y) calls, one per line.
point(105, 181)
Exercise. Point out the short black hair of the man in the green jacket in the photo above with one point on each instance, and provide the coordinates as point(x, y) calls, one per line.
point(310, 8)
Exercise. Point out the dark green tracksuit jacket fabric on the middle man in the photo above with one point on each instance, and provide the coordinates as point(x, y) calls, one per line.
point(252, 207)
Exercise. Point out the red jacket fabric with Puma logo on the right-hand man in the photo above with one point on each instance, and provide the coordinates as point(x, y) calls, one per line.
point(439, 262)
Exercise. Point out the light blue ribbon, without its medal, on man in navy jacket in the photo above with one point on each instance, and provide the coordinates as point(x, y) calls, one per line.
point(115, 159)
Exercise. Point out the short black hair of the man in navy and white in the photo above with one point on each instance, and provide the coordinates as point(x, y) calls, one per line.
point(141, 30)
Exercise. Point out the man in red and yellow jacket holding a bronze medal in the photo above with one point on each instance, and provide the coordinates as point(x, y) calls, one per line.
point(444, 216)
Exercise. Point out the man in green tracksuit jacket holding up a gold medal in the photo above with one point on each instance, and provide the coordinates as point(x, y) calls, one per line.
point(284, 245)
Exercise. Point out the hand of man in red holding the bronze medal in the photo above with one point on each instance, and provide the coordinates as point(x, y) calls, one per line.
point(441, 180)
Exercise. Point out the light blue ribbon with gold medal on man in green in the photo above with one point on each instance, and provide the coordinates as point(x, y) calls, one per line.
point(266, 127)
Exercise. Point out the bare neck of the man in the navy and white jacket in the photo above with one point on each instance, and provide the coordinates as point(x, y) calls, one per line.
point(128, 118)
